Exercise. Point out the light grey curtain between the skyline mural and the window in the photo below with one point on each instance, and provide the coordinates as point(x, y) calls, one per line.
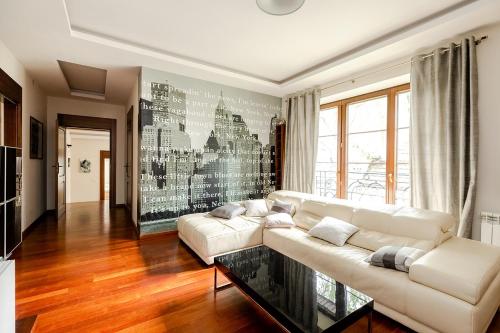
point(302, 114)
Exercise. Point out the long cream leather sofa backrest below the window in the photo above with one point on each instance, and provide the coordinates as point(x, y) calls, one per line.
point(380, 225)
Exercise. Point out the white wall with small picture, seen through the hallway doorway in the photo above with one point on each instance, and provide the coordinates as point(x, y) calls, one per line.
point(85, 187)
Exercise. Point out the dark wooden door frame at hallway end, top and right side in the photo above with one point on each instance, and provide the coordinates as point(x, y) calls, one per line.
point(96, 123)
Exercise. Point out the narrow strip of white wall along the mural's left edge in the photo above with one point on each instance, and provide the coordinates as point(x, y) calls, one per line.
point(134, 102)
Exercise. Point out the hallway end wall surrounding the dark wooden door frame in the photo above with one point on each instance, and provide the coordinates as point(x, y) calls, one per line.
point(61, 105)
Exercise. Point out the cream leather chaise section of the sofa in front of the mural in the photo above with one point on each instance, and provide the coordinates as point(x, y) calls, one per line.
point(212, 236)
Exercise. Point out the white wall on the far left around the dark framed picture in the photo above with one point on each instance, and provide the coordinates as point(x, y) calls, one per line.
point(34, 104)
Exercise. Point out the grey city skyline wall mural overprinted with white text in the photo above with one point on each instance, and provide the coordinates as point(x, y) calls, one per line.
point(201, 145)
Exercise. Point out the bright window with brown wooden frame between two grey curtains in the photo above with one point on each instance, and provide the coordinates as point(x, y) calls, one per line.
point(363, 148)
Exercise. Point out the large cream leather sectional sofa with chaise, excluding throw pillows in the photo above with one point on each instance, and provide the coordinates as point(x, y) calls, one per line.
point(454, 287)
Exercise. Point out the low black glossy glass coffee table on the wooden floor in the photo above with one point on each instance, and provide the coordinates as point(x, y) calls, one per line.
point(299, 298)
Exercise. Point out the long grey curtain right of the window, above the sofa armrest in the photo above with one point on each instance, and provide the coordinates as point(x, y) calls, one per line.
point(444, 132)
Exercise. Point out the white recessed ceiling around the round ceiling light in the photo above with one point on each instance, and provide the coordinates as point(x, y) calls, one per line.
point(227, 41)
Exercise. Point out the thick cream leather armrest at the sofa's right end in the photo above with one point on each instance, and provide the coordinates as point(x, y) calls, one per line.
point(459, 267)
